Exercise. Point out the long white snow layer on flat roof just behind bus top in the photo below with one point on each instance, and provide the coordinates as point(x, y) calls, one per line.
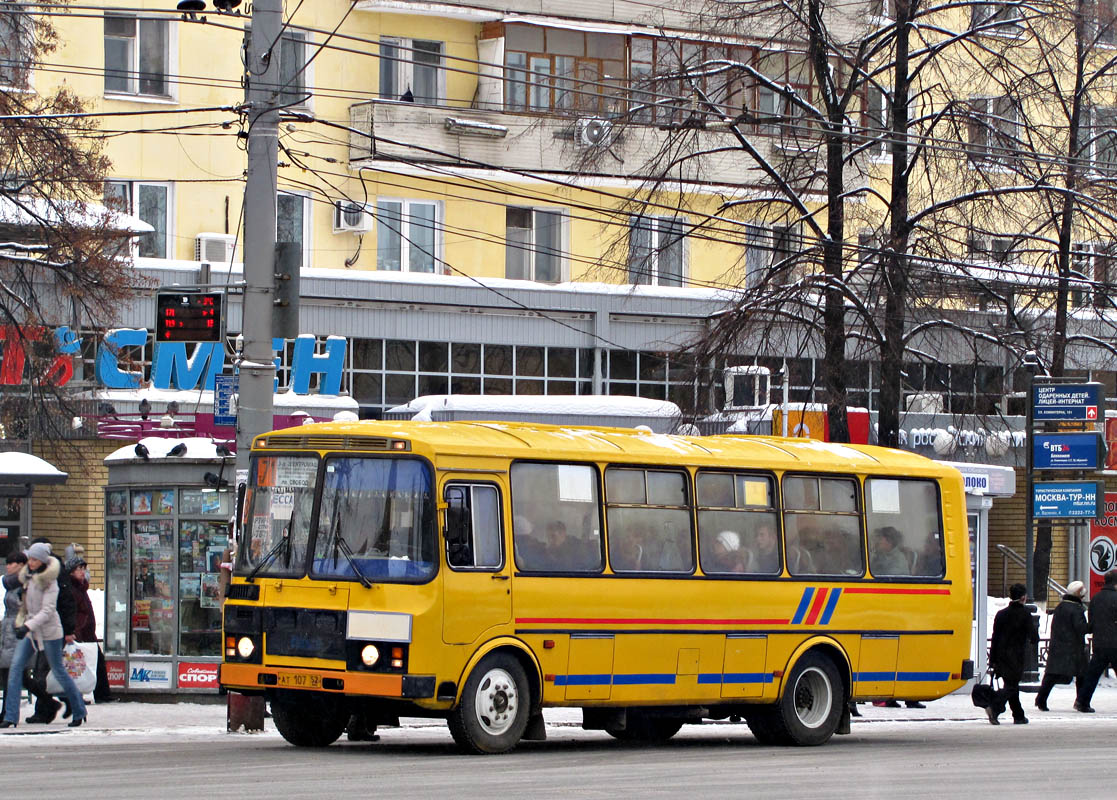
point(585, 405)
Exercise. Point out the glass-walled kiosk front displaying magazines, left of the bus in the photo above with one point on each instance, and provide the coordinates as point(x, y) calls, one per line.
point(166, 547)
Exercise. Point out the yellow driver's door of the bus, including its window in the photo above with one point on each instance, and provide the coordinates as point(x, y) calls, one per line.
point(476, 586)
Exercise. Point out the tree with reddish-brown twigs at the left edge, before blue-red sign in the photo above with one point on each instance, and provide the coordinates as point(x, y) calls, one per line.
point(64, 259)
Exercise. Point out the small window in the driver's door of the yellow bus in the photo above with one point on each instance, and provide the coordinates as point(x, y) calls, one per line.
point(473, 527)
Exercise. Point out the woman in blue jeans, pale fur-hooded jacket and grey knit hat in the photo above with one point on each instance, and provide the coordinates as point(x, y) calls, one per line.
point(39, 627)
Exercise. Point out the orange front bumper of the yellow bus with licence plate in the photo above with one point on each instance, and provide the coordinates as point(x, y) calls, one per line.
point(255, 678)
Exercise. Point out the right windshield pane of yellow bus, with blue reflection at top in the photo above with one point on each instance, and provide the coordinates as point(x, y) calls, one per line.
point(376, 521)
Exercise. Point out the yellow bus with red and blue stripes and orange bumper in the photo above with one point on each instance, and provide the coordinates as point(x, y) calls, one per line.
point(484, 572)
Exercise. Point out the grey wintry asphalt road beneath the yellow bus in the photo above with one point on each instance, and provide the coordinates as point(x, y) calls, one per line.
point(889, 759)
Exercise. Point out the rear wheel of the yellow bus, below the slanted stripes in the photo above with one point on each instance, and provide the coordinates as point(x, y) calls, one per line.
point(810, 709)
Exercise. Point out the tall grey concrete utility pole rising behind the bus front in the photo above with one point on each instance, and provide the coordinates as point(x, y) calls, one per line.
point(257, 368)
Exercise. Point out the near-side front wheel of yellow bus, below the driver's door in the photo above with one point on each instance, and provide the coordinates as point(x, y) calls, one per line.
point(495, 707)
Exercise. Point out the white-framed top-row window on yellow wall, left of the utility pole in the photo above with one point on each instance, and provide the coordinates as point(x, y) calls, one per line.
point(137, 56)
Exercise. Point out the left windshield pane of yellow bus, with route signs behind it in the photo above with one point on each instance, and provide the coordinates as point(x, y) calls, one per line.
point(279, 509)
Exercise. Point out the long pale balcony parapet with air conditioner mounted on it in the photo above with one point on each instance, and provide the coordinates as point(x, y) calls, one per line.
point(590, 147)
